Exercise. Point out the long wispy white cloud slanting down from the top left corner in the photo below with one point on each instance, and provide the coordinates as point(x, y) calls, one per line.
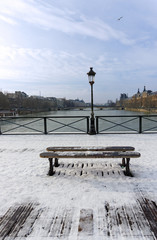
point(49, 17)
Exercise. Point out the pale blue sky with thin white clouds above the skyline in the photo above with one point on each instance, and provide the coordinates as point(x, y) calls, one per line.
point(48, 46)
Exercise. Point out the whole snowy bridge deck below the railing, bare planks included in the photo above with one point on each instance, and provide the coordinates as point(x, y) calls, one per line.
point(85, 199)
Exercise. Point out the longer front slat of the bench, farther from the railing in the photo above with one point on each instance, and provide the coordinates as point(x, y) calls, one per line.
point(90, 155)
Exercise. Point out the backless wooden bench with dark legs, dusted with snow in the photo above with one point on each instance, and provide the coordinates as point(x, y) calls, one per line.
point(124, 152)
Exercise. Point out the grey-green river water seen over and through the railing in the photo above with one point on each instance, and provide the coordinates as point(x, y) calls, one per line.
point(76, 121)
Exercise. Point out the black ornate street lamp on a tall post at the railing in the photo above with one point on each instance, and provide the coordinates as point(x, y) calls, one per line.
point(91, 76)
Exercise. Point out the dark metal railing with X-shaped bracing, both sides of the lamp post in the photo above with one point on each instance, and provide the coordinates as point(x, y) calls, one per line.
point(78, 124)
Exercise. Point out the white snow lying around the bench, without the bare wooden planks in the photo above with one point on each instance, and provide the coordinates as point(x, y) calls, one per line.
point(24, 179)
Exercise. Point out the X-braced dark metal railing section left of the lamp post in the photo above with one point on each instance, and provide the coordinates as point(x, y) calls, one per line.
point(44, 125)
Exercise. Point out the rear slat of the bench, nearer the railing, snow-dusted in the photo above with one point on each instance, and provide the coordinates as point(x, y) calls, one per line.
point(109, 148)
